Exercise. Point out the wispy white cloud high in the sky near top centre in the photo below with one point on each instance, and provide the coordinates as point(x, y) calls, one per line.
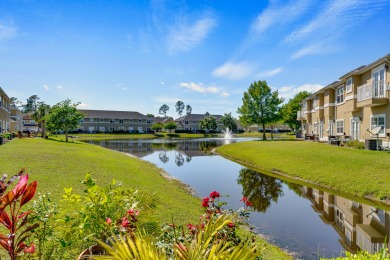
point(183, 36)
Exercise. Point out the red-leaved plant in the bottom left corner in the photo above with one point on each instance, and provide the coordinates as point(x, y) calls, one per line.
point(11, 216)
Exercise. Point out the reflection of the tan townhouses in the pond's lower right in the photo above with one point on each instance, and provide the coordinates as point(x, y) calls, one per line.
point(360, 226)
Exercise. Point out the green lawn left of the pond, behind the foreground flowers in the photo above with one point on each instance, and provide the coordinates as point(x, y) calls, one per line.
point(55, 165)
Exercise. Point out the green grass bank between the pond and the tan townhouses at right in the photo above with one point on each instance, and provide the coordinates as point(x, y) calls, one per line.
point(347, 171)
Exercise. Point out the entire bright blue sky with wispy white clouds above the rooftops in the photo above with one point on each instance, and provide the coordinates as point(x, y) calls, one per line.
point(138, 55)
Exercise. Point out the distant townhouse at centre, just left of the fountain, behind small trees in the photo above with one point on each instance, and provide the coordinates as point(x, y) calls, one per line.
point(191, 122)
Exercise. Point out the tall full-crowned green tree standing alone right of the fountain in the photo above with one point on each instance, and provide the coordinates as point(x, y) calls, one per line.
point(260, 105)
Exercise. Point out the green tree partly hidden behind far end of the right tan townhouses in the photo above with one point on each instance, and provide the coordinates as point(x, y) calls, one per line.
point(290, 109)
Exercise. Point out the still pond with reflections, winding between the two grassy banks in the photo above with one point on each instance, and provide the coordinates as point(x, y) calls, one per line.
point(306, 222)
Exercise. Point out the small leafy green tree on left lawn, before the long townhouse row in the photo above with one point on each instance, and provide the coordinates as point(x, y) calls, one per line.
point(64, 116)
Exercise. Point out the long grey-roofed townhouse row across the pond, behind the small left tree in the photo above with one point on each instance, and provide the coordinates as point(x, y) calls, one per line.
point(116, 121)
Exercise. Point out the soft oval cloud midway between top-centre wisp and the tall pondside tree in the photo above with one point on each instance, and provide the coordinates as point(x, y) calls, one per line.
point(234, 71)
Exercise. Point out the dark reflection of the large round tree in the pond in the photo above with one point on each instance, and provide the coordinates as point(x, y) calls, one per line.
point(260, 189)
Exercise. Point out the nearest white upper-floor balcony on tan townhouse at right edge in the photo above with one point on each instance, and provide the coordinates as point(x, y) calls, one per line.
point(372, 94)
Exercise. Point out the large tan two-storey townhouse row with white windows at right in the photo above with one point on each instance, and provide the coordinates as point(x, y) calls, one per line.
point(356, 105)
